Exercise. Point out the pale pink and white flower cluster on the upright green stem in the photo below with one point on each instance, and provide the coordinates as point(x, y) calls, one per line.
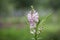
point(33, 18)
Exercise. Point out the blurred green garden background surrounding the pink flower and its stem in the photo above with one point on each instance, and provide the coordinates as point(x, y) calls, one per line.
point(12, 19)
